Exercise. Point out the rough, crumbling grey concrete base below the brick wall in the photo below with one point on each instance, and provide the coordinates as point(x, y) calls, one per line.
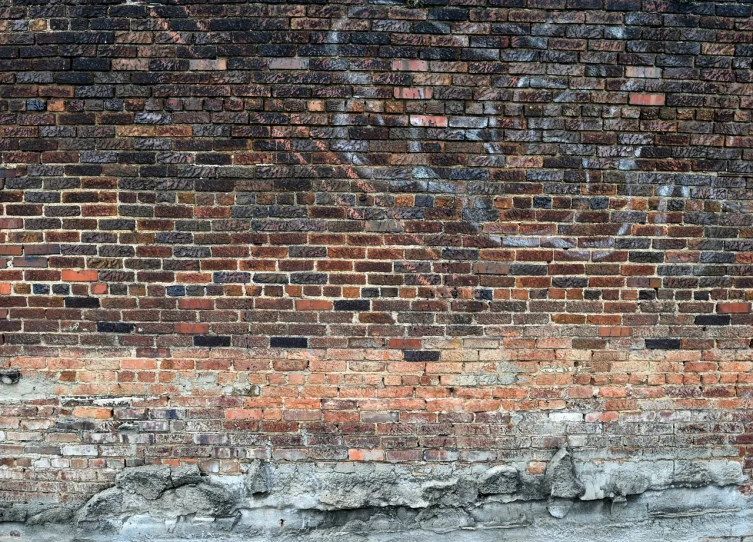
point(574, 500)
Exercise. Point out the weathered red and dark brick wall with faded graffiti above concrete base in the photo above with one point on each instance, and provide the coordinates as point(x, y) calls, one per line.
point(470, 231)
